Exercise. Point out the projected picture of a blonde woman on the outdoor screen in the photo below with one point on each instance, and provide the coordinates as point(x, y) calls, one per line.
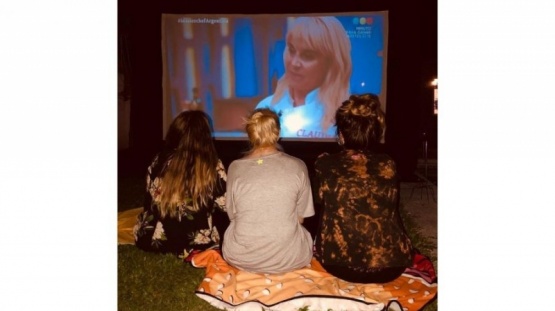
point(302, 67)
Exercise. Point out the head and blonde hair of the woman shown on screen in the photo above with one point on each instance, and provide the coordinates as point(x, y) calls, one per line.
point(317, 55)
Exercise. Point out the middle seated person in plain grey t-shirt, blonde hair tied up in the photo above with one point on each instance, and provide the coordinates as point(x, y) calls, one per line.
point(268, 195)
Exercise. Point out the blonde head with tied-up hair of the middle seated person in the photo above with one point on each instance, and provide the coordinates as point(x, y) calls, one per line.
point(262, 127)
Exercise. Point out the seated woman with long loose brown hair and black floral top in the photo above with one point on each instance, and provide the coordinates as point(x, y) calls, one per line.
point(184, 208)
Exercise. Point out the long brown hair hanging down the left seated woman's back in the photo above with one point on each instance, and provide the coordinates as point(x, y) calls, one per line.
point(191, 171)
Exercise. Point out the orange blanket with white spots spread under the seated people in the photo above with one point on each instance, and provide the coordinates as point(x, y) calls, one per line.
point(226, 287)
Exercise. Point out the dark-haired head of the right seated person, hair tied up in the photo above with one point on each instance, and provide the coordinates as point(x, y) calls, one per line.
point(360, 122)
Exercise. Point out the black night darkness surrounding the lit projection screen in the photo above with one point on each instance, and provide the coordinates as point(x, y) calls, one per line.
point(412, 65)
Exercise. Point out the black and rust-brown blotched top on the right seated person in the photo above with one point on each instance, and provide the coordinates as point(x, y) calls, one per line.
point(360, 225)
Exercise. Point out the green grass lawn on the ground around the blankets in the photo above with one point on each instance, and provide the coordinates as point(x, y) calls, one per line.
point(152, 282)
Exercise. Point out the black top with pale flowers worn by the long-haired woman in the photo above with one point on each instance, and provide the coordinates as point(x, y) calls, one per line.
point(190, 230)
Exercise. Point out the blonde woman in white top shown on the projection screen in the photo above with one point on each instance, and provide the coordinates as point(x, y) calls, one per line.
point(318, 68)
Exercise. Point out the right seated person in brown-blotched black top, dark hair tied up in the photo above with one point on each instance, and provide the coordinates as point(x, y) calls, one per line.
point(361, 236)
